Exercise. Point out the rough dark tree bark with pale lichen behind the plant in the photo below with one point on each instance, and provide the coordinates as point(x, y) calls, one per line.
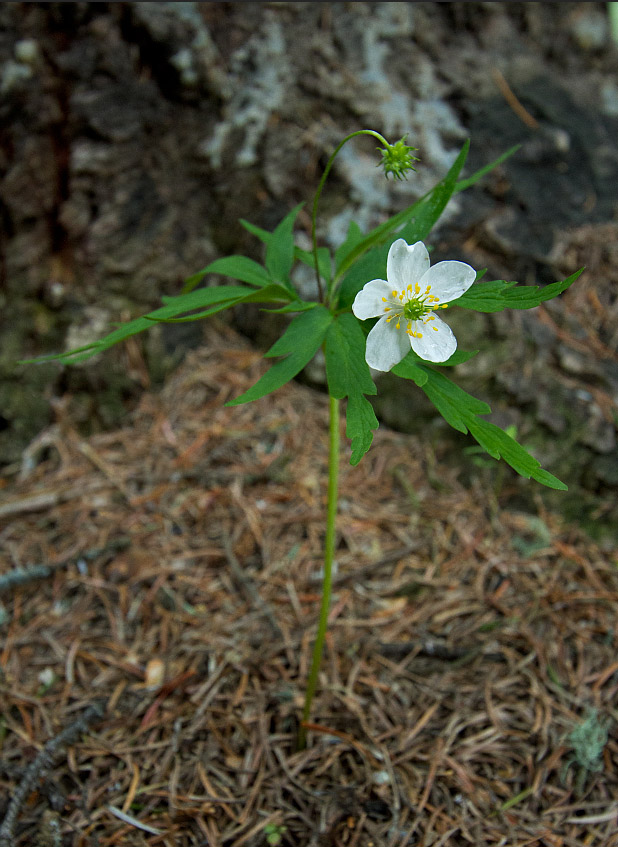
point(134, 135)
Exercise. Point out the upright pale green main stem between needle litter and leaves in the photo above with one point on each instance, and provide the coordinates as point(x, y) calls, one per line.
point(329, 555)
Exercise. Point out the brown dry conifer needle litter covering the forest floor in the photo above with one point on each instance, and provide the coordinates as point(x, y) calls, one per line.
point(166, 577)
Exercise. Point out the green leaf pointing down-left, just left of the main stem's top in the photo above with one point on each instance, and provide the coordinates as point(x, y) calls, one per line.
point(298, 344)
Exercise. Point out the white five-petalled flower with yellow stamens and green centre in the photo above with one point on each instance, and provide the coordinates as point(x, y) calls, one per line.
point(406, 305)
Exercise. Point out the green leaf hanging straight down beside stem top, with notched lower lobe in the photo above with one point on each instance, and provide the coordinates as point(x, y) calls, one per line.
point(349, 376)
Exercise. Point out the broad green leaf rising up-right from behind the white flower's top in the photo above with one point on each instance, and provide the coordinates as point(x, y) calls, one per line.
point(419, 218)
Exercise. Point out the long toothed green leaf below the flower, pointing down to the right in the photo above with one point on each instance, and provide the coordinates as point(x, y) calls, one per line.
point(461, 411)
